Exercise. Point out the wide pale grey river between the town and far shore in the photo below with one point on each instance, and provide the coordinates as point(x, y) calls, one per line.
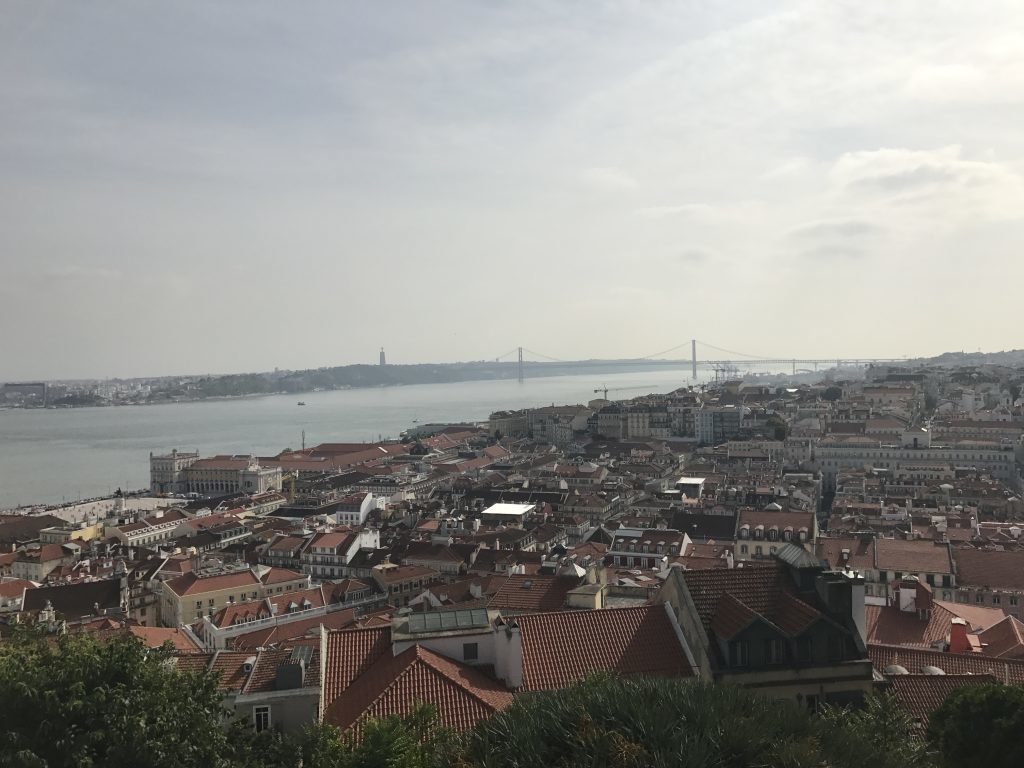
point(51, 456)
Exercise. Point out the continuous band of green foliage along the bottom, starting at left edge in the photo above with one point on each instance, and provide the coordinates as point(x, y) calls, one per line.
point(79, 702)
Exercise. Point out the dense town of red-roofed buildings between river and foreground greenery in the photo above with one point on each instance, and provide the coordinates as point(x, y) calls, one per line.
point(816, 543)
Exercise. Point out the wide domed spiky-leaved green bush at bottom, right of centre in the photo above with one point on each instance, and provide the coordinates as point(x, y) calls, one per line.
point(641, 722)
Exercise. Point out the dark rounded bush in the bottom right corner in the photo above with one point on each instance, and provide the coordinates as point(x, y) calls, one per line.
point(980, 726)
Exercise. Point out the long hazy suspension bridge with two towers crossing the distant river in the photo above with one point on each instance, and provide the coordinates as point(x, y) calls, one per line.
point(735, 361)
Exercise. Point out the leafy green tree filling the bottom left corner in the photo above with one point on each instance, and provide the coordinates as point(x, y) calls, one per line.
point(79, 702)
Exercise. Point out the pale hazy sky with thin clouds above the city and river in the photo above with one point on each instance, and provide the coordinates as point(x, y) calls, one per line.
point(199, 187)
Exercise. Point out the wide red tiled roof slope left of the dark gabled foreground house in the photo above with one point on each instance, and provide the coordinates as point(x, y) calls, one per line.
point(560, 650)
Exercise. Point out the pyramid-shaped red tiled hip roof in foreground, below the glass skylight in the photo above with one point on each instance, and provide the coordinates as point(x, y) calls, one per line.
point(461, 695)
